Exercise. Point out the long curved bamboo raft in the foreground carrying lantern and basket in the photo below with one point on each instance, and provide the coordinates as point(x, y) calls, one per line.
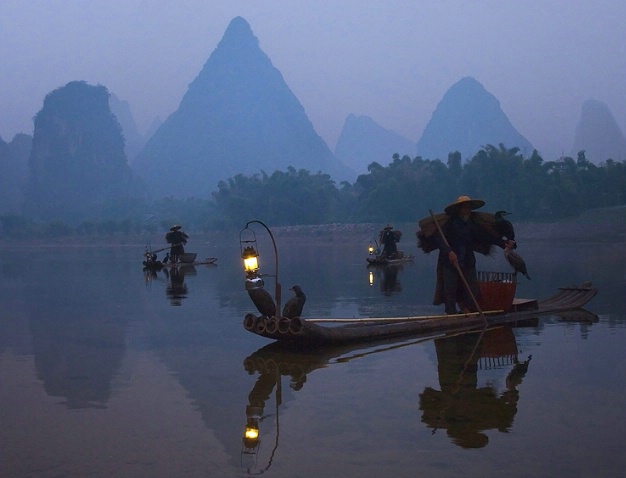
point(322, 331)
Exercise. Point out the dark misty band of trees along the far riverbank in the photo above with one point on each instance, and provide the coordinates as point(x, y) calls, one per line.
point(402, 191)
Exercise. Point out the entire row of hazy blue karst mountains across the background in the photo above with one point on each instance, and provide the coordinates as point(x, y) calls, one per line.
point(238, 116)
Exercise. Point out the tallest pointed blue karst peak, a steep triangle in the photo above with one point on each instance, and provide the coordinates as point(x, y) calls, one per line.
point(237, 116)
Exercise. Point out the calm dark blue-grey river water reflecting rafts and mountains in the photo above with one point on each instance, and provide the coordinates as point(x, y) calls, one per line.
point(109, 371)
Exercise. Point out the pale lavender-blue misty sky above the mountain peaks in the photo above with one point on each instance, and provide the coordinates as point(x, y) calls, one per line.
point(390, 60)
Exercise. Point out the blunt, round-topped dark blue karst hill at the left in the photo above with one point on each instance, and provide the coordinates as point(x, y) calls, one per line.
point(77, 161)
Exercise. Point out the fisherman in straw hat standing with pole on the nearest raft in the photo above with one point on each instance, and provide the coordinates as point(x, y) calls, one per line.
point(464, 235)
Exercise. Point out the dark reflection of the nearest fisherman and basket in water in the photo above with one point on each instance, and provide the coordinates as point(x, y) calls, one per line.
point(463, 408)
